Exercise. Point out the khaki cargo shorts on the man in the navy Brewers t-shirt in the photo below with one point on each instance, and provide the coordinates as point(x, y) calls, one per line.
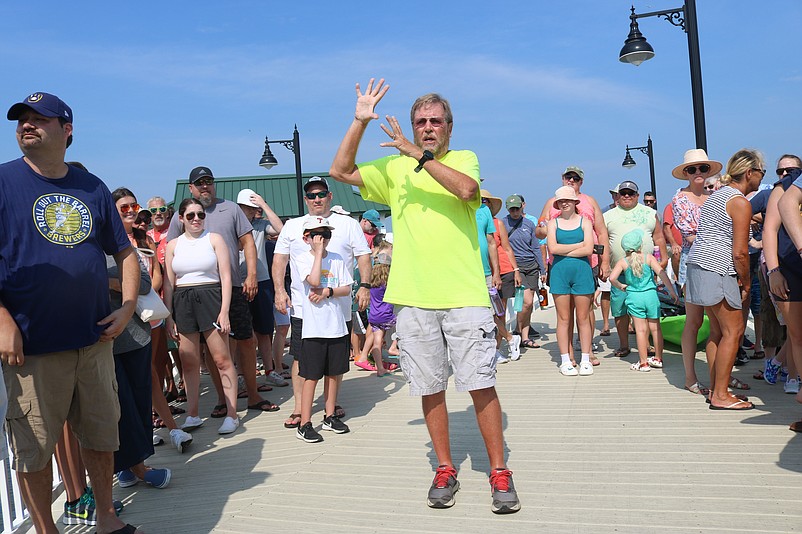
point(78, 386)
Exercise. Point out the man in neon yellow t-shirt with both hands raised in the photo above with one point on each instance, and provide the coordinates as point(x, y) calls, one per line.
point(438, 284)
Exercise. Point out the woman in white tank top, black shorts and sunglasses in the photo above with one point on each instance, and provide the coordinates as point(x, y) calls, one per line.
point(198, 292)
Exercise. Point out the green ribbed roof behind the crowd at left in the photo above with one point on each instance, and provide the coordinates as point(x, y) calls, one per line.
point(280, 193)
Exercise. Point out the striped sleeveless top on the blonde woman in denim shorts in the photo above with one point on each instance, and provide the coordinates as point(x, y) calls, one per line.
point(712, 248)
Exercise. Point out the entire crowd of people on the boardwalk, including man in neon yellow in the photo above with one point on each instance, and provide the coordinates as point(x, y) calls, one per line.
point(237, 281)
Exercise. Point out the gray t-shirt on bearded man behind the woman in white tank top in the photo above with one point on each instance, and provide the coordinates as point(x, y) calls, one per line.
point(226, 219)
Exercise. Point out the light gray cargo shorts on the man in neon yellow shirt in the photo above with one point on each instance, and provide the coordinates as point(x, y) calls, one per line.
point(433, 342)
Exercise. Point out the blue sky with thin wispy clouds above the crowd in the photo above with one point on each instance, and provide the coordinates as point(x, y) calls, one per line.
point(158, 88)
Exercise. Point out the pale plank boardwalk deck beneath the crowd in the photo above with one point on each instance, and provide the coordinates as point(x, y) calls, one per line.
point(618, 451)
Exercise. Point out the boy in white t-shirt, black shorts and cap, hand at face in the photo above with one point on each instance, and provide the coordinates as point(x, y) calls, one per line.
point(326, 308)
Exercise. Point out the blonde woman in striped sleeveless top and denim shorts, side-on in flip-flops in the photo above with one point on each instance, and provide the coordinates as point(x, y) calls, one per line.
point(718, 276)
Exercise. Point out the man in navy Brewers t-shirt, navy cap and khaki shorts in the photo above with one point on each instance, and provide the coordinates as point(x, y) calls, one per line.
point(58, 223)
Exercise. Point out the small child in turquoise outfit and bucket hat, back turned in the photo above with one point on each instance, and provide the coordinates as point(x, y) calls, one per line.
point(642, 302)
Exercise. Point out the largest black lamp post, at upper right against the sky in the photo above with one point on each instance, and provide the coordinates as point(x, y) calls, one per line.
point(636, 50)
